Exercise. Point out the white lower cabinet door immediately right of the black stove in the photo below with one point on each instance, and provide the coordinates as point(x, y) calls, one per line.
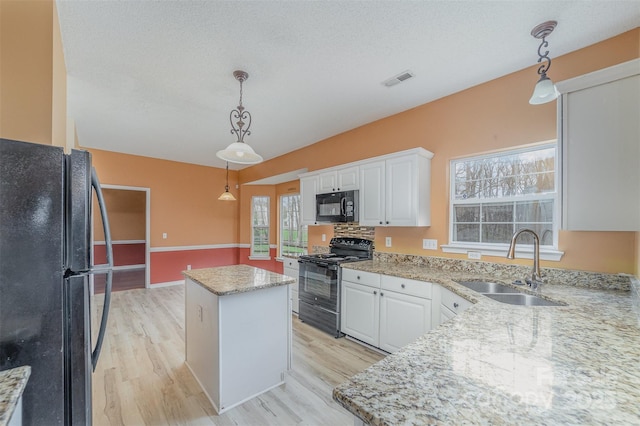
point(360, 312)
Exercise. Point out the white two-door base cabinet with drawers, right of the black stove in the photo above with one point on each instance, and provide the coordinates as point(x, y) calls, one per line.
point(383, 311)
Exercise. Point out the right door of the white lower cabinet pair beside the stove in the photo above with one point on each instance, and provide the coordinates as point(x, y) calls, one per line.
point(403, 319)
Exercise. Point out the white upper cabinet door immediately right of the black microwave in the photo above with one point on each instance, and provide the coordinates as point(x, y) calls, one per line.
point(372, 194)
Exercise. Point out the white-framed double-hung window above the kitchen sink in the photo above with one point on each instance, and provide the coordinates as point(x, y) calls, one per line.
point(495, 195)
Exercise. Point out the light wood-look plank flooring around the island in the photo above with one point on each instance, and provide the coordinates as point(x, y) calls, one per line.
point(141, 378)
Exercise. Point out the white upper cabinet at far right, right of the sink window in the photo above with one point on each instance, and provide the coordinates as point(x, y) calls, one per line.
point(599, 133)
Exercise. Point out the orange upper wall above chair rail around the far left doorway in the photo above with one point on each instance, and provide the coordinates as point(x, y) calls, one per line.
point(184, 197)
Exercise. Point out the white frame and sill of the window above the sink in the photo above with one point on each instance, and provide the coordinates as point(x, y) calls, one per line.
point(547, 252)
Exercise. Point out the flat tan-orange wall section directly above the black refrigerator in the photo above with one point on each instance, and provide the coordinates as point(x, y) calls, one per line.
point(26, 70)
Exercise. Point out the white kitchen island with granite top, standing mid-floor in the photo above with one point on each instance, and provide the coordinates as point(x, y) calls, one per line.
point(237, 331)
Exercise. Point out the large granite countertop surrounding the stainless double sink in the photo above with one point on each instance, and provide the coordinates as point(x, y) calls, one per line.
point(503, 364)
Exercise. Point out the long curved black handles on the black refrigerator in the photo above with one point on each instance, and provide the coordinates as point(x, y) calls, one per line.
point(95, 183)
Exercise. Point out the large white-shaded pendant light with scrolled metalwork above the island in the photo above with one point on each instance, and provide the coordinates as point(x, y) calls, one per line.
point(239, 151)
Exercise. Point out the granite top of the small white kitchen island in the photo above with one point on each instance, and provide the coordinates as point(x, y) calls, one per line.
point(225, 280)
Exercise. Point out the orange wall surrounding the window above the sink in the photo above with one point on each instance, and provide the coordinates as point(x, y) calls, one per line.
point(492, 116)
